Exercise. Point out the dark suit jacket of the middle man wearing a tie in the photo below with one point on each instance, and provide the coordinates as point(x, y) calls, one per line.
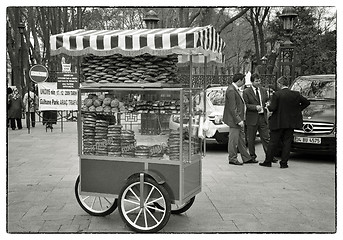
point(251, 102)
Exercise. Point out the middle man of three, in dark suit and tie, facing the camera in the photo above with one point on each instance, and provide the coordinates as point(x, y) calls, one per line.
point(255, 98)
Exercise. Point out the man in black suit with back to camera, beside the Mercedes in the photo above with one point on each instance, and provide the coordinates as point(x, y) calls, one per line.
point(286, 107)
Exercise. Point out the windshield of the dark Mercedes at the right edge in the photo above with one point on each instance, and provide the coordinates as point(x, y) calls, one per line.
point(315, 88)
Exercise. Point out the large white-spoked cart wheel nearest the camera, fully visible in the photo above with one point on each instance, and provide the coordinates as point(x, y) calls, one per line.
point(137, 208)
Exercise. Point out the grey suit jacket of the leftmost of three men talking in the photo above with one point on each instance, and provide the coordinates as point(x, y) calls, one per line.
point(234, 107)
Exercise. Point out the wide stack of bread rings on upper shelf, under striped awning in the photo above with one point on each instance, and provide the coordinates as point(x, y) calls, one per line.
point(142, 69)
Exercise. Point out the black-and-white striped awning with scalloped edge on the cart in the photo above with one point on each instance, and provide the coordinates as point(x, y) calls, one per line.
point(164, 41)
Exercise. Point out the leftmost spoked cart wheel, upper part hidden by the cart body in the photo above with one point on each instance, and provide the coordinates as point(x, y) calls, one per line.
point(95, 205)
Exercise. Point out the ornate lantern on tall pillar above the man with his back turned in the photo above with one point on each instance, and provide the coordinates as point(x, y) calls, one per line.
point(286, 57)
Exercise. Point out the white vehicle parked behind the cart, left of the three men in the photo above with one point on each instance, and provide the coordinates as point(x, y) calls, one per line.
point(215, 101)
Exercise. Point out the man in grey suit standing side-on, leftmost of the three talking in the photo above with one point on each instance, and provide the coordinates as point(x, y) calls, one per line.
point(233, 116)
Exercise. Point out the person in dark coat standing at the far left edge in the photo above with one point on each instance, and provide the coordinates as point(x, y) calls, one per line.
point(15, 109)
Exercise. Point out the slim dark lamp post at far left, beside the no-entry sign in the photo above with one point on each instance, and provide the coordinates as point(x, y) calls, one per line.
point(21, 27)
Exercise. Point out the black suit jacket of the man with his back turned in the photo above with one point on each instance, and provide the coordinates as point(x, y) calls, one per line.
point(286, 106)
